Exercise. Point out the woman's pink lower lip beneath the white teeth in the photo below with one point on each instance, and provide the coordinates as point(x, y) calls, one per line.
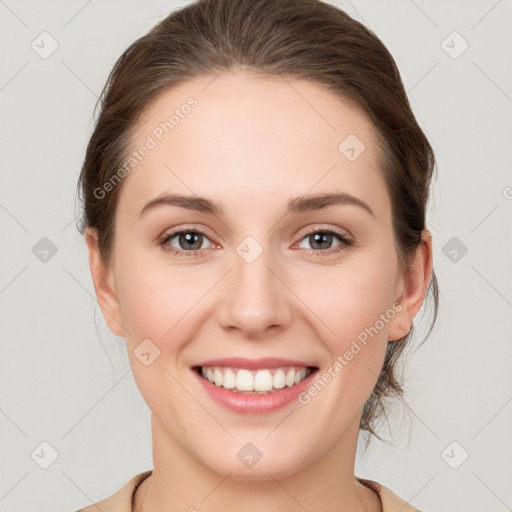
point(255, 404)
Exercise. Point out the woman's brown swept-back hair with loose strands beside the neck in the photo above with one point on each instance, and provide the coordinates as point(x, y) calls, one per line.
point(292, 39)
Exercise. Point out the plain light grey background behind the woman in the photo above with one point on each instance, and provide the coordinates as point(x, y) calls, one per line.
point(57, 382)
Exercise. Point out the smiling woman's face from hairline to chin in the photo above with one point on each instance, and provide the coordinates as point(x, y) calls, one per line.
point(260, 280)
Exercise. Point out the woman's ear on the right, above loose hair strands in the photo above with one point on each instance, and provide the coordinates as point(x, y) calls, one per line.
point(414, 285)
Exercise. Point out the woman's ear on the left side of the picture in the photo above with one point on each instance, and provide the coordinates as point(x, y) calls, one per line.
point(104, 285)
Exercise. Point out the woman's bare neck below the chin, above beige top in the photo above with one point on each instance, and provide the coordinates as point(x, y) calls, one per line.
point(180, 482)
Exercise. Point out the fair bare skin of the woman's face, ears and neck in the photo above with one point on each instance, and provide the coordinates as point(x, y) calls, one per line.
point(251, 144)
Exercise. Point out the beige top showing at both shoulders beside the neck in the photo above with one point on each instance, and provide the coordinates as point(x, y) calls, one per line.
point(121, 501)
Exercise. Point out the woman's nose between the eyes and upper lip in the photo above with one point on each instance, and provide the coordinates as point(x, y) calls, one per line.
point(255, 299)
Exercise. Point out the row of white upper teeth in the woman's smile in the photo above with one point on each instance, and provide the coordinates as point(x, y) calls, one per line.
point(256, 380)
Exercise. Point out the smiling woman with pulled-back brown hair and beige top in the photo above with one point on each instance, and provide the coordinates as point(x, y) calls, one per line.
point(254, 195)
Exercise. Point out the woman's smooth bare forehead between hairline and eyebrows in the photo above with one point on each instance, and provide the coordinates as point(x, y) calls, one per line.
point(231, 136)
